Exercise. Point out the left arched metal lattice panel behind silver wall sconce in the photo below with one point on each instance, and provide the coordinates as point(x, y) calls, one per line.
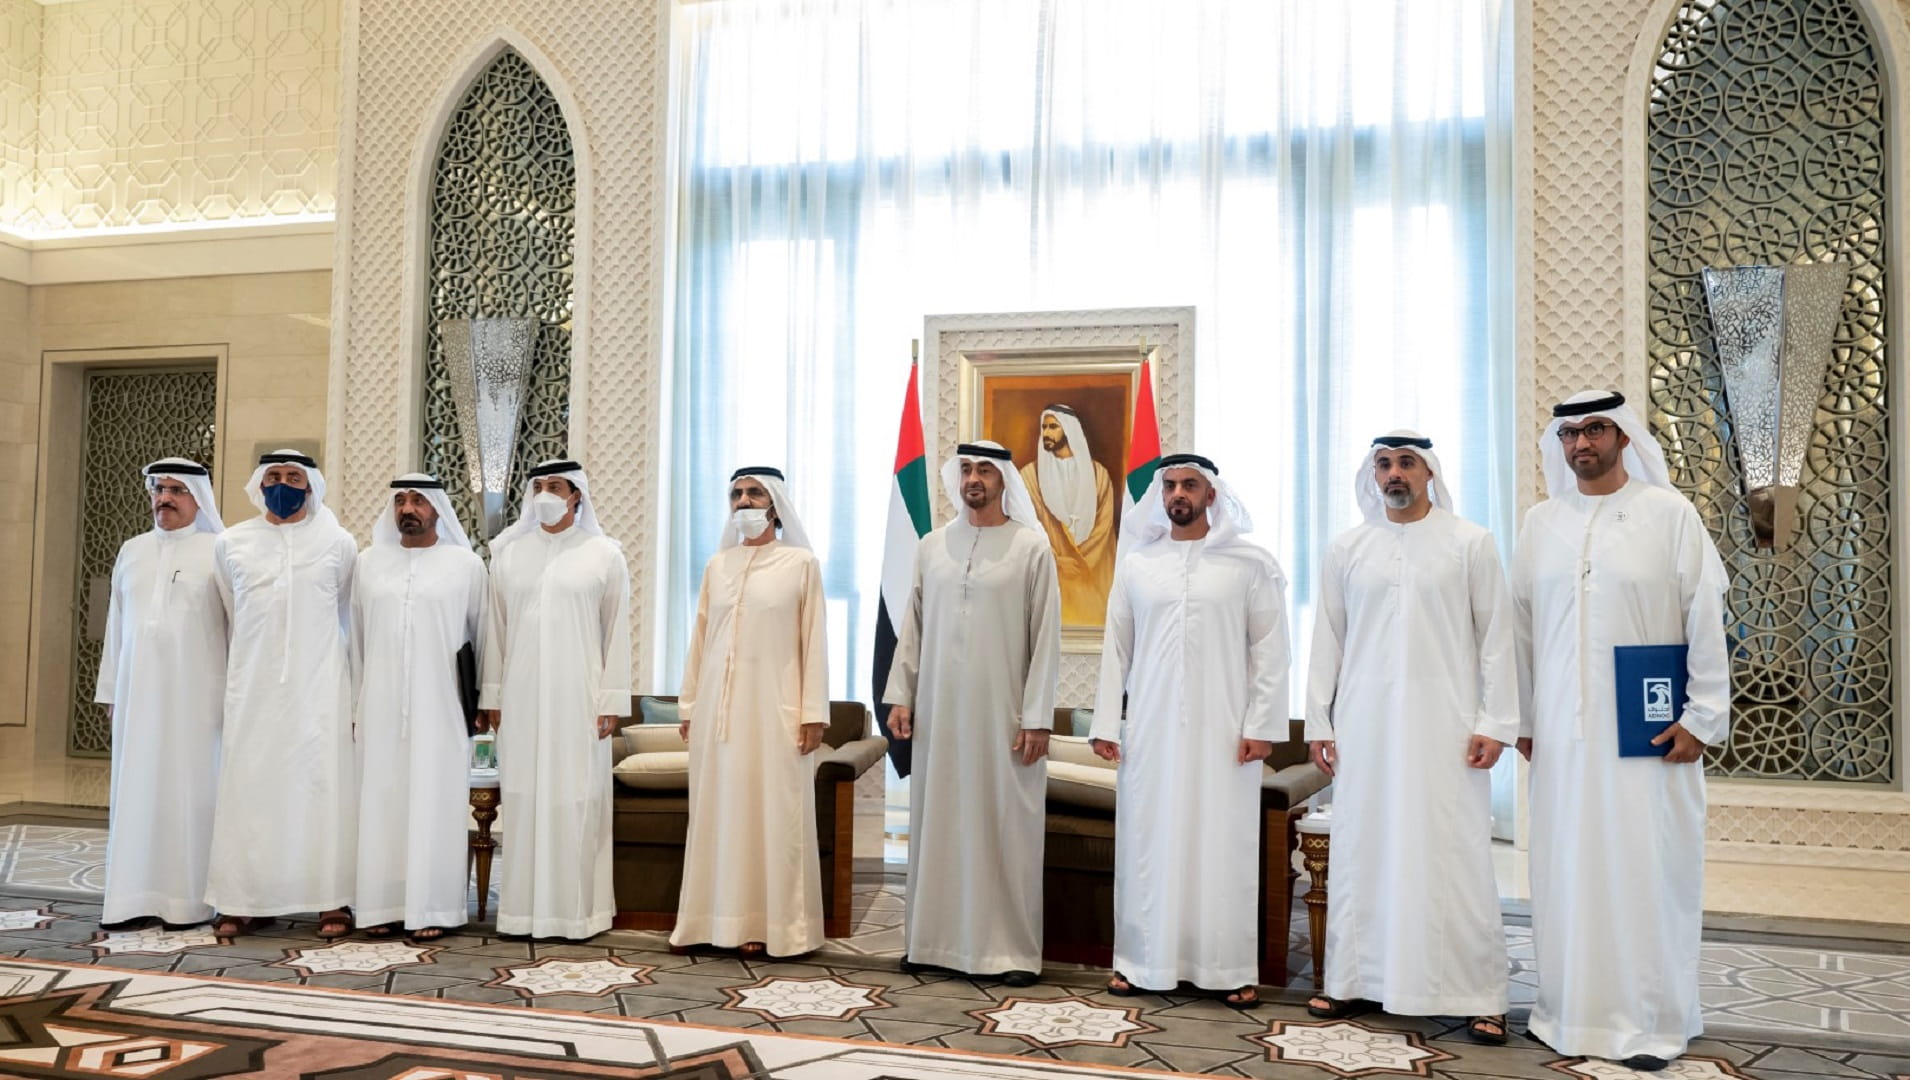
point(503, 238)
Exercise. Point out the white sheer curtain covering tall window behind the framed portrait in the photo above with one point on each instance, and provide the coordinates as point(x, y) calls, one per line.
point(1325, 183)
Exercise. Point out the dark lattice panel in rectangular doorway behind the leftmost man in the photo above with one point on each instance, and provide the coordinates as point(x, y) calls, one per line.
point(133, 418)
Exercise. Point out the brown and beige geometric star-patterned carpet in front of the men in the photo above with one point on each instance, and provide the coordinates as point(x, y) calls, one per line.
point(627, 991)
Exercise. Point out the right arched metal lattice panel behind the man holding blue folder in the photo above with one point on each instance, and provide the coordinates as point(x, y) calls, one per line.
point(1768, 146)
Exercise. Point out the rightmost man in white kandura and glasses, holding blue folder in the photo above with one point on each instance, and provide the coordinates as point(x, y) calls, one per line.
point(1615, 557)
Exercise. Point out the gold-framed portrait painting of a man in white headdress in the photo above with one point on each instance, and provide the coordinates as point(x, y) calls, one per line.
point(1008, 395)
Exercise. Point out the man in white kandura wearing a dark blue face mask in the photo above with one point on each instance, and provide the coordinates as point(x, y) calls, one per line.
point(286, 829)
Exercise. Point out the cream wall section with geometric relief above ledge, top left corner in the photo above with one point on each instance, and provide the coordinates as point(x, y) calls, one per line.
point(184, 112)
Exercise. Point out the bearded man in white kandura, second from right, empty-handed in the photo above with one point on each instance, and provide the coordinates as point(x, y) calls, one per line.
point(1412, 693)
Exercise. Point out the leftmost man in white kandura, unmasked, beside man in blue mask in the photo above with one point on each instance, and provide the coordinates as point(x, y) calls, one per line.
point(163, 683)
